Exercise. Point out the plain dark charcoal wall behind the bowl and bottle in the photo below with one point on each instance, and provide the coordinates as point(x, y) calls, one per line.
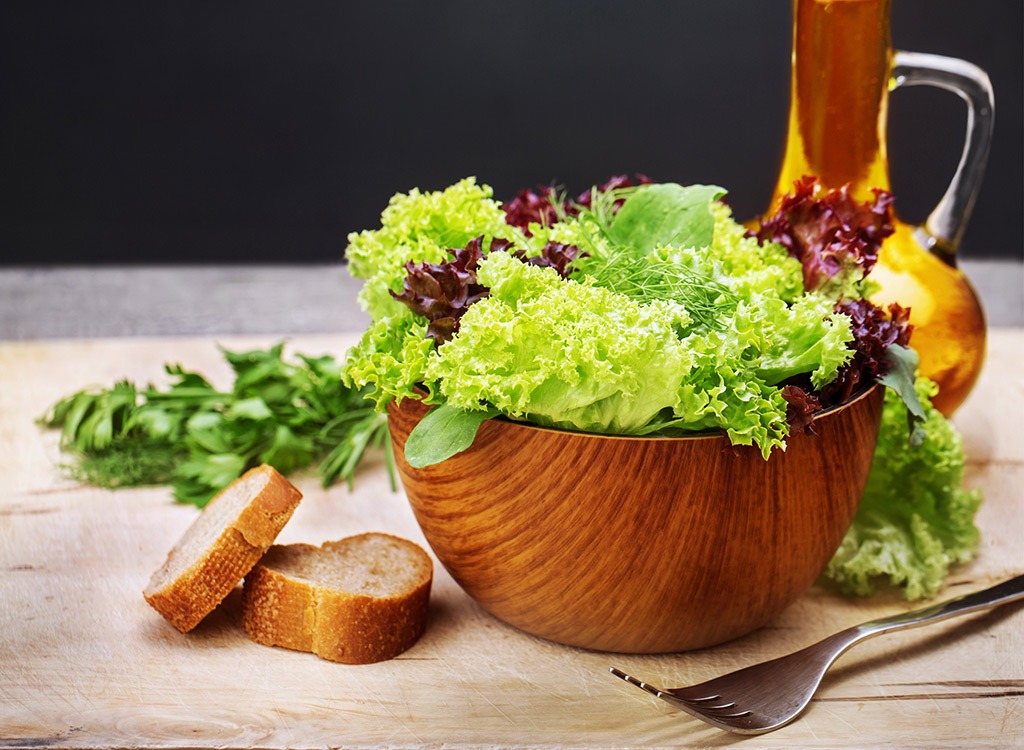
point(266, 133)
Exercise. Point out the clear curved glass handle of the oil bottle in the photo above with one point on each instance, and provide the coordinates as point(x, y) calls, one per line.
point(944, 229)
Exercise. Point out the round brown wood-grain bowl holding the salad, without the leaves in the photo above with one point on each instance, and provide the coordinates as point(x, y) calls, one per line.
point(639, 545)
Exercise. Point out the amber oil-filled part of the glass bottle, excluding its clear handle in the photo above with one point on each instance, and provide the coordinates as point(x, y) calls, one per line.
point(842, 66)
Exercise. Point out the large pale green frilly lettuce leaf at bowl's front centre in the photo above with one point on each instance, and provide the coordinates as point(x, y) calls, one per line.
point(563, 354)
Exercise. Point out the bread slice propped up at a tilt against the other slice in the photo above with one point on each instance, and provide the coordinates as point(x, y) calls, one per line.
point(222, 547)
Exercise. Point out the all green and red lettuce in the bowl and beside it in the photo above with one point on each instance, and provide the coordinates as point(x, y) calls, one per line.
point(644, 309)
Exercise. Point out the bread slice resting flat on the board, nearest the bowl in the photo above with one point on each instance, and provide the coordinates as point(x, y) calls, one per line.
point(358, 601)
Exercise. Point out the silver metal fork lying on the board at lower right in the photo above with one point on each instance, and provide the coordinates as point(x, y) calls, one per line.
point(764, 697)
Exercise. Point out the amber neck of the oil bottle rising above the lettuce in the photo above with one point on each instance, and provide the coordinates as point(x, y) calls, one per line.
point(842, 58)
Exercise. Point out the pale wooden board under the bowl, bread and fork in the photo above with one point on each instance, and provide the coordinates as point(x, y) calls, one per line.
point(84, 662)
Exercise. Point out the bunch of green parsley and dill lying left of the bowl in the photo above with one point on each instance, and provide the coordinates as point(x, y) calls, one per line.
point(199, 440)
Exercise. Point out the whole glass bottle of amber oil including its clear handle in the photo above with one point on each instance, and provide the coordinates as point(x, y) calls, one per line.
point(844, 69)
